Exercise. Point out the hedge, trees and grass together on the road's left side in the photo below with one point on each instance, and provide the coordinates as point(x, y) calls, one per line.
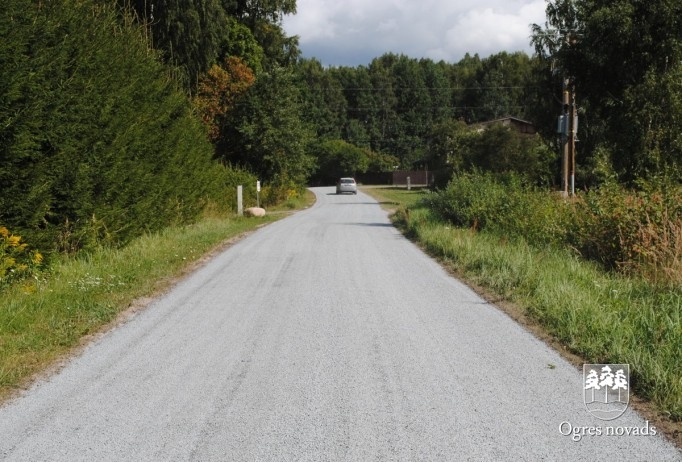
point(122, 128)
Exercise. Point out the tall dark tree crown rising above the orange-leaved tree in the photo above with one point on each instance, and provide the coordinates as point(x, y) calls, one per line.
point(195, 34)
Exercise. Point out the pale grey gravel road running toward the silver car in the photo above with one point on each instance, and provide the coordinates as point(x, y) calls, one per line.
point(325, 336)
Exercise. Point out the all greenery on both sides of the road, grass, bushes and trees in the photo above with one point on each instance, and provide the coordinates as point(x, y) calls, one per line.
point(121, 125)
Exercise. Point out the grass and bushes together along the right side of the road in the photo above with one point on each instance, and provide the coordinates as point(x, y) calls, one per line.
point(516, 243)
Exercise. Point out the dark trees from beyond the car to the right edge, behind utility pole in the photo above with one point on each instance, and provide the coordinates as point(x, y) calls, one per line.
point(622, 60)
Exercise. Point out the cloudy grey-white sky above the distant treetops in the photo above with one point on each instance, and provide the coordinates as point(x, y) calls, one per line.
point(353, 32)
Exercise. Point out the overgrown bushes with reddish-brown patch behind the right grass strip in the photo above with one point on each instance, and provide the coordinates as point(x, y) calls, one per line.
point(636, 232)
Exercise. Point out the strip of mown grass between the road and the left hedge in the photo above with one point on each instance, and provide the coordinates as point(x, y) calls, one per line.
point(46, 317)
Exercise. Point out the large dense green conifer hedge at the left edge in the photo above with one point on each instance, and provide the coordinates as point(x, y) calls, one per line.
point(96, 143)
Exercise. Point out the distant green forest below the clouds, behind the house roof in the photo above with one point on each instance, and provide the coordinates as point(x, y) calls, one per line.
point(393, 105)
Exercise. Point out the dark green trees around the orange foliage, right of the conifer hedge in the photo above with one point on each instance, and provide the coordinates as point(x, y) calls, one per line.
point(259, 134)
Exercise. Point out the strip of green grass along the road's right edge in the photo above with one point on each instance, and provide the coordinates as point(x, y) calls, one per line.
point(599, 316)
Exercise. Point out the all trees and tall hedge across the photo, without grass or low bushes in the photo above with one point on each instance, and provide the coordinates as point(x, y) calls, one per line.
point(120, 117)
